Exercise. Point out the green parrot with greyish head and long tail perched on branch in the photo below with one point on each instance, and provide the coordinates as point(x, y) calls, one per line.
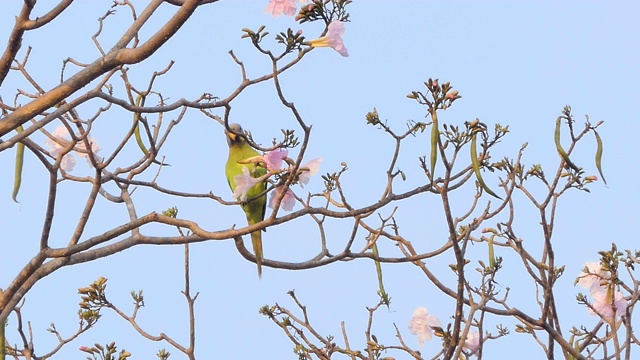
point(240, 150)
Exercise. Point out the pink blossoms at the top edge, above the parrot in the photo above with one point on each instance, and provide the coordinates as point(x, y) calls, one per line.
point(335, 29)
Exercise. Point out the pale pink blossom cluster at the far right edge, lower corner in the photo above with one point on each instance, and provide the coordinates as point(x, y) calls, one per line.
point(607, 303)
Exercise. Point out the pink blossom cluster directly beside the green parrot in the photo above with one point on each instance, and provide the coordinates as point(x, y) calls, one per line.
point(273, 161)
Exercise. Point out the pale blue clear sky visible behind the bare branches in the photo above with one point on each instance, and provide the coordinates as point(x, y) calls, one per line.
point(515, 63)
